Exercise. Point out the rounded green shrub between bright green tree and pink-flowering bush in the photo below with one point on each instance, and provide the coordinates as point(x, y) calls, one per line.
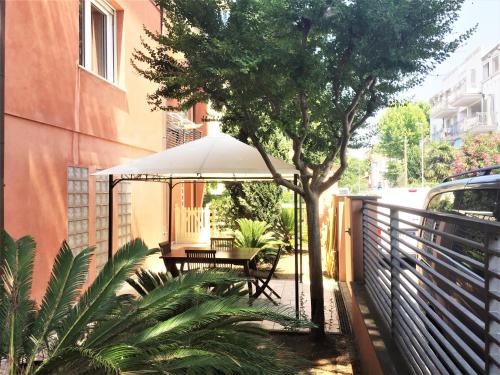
point(439, 158)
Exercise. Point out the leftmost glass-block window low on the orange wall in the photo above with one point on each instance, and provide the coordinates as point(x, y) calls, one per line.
point(78, 209)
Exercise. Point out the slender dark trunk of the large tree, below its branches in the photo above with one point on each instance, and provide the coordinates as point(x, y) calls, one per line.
point(315, 267)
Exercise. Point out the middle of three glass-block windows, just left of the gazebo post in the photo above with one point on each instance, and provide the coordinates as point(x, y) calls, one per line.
point(101, 221)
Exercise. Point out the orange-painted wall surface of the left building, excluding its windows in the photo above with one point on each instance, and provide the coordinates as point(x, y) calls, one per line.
point(58, 114)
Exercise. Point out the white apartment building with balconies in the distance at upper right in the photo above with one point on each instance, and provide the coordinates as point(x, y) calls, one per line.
point(469, 100)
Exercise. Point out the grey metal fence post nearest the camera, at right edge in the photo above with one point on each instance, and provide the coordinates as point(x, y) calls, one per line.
point(493, 304)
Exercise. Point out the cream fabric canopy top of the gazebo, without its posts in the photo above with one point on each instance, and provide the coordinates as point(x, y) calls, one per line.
point(218, 156)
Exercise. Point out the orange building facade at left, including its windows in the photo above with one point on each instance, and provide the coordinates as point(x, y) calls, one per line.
point(75, 105)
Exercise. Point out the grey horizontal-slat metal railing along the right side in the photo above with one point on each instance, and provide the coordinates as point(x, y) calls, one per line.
point(435, 280)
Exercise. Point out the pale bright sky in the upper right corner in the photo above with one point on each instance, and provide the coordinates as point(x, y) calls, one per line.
point(485, 13)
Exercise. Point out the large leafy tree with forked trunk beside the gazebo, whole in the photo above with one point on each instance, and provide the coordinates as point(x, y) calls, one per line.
point(311, 70)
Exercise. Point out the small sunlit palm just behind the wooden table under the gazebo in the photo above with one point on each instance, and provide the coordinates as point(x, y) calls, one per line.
point(257, 234)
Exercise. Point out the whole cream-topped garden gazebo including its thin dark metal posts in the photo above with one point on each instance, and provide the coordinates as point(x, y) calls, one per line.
point(214, 157)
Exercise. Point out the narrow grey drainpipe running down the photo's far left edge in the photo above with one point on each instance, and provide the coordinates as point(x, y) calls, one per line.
point(2, 118)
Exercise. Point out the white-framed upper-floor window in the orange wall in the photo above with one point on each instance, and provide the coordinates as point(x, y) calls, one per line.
point(97, 38)
